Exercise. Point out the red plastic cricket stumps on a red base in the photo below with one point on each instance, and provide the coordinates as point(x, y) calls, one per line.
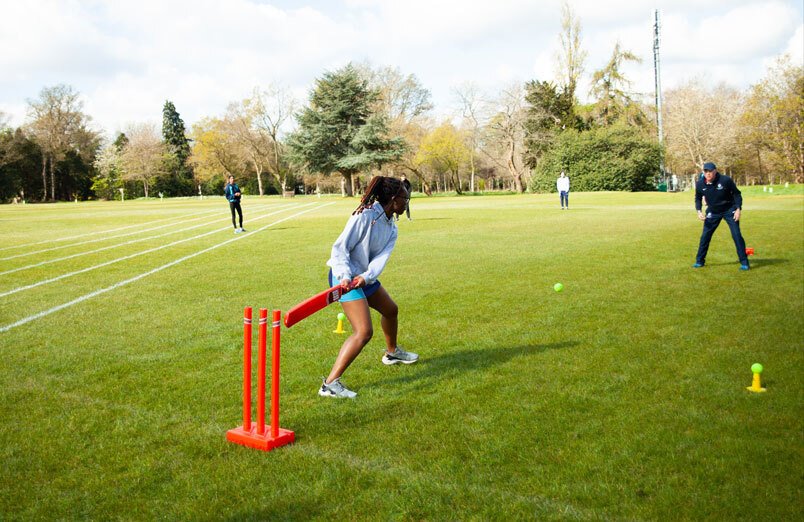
point(257, 434)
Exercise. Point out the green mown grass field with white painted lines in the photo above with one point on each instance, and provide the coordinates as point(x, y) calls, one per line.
point(623, 397)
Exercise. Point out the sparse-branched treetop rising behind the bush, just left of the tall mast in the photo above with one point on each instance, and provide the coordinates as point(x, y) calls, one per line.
point(609, 86)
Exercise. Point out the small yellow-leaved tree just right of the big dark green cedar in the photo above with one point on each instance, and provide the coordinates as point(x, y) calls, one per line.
point(445, 152)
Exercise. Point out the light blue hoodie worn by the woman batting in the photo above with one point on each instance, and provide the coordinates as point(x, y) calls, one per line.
point(364, 246)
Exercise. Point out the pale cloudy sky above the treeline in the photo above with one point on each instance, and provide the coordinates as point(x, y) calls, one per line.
point(127, 57)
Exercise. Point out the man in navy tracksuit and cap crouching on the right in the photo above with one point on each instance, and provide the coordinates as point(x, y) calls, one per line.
point(723, 201)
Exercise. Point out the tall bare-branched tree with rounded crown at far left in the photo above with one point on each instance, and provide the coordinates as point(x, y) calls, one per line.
point(58, 126)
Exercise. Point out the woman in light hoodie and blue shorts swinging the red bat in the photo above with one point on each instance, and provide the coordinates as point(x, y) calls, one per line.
point(358, 257)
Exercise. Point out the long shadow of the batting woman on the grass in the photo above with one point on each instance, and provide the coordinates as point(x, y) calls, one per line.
point(429, 370)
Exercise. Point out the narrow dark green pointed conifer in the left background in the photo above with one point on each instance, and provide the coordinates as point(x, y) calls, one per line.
point(177, 180)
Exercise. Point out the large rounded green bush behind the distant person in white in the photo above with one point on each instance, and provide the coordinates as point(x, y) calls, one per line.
point(608, 158)
